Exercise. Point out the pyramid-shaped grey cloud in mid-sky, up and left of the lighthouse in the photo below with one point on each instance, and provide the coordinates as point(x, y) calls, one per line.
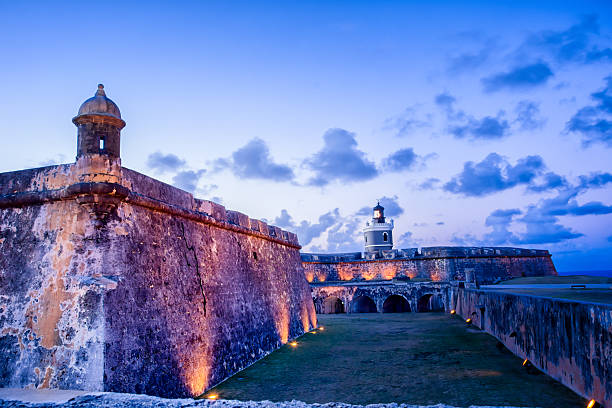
point(340, 160)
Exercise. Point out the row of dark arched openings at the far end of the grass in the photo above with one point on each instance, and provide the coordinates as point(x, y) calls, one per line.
point(392, 304)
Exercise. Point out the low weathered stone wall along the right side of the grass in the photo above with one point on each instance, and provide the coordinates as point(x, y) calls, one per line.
point(569, 340)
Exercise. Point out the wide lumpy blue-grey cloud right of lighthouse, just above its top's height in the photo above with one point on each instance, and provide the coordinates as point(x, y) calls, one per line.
point(494, 174)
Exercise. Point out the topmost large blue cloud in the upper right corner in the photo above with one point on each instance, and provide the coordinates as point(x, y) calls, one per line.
point(575, 44)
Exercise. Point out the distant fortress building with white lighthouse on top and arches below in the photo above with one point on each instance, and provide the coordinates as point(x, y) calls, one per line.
point(341, 281)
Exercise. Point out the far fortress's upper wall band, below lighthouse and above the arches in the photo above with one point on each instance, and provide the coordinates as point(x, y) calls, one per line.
point(484, 265)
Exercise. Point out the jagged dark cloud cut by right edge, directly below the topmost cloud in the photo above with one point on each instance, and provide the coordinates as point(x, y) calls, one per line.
point(594, 122)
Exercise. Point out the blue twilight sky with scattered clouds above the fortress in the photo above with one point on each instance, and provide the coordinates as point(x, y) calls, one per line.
point(474, 123)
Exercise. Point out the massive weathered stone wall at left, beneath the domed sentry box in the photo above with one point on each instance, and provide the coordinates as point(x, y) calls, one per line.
point(131, 285)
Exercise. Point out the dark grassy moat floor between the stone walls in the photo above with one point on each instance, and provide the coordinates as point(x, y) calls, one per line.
point(424, 358)
